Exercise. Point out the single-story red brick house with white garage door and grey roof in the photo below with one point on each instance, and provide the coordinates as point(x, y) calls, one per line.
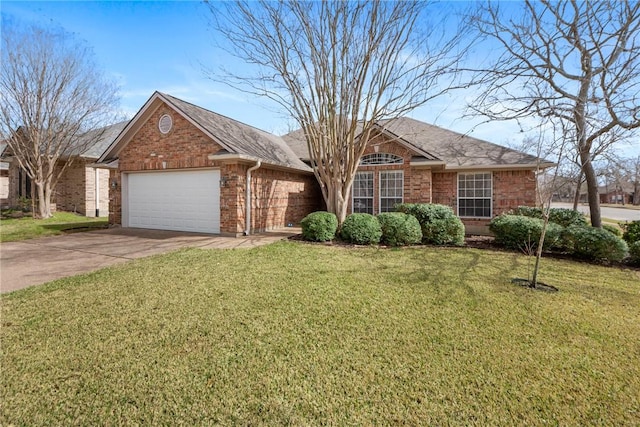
point(178, 166)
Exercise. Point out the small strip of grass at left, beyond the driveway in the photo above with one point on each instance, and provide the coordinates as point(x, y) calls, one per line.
point(12, 230)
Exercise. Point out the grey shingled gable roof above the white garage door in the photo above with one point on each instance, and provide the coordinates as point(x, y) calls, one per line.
point(235, 137)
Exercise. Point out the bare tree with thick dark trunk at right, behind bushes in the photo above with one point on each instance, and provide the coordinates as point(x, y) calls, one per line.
point(576, 61)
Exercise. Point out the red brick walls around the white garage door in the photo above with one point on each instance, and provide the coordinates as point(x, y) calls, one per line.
point(279, 197)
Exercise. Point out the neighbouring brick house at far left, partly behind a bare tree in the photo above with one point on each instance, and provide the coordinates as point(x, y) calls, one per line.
point(76, 190)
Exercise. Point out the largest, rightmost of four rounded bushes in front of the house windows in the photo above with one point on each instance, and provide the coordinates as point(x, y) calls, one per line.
point(439, 224)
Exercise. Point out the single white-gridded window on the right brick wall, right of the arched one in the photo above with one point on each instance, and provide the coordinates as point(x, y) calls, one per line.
point(474, 195)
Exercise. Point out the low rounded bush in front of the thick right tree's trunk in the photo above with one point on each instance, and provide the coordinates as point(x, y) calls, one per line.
point(595, 244)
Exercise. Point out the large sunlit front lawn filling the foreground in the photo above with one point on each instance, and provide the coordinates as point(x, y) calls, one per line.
point(309, 334)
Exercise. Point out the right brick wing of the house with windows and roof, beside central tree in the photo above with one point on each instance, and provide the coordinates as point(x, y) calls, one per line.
point(410, 161)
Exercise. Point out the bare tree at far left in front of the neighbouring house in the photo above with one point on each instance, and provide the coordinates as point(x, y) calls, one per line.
point(52, 95)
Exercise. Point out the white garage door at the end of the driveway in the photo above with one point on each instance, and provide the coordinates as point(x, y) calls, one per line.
point(181, 200)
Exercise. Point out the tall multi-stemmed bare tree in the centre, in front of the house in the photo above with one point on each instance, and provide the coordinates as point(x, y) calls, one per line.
point(338, 67)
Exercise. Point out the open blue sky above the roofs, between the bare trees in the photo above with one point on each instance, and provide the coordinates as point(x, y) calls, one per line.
point(148, 46)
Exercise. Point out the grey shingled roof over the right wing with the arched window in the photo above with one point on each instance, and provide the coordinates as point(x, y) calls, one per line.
point(456, 150)
